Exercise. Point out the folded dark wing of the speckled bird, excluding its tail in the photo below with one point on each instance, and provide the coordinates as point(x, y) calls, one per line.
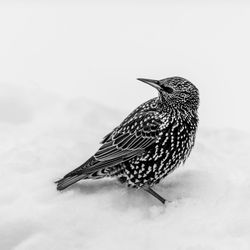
point(131, 138)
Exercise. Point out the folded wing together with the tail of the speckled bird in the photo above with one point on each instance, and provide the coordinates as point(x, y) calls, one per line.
point(128, 140)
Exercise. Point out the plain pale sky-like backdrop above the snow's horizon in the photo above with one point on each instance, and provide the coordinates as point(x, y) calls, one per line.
point(97, 49)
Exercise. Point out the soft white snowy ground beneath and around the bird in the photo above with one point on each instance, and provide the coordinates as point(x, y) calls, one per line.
point(43, 136)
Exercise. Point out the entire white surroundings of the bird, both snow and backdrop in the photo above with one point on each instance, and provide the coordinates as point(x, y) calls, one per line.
point(68, 74)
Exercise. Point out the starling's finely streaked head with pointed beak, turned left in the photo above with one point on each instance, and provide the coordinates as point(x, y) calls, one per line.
point(176, 91)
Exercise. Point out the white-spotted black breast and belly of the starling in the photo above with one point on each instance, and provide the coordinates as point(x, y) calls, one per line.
point(172, 146)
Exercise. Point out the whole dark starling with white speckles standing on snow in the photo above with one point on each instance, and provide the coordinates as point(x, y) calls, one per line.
point(150, 143)
